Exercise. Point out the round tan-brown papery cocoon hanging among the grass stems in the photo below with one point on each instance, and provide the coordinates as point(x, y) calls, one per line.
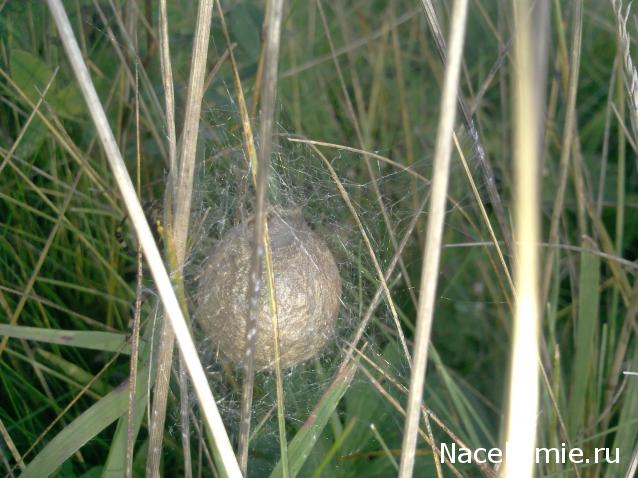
point(307, 289)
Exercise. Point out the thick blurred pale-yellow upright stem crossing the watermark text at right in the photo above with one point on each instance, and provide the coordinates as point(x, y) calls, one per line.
point(520, 434)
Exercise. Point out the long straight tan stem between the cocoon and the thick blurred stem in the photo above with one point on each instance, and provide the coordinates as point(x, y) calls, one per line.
point(434, 236)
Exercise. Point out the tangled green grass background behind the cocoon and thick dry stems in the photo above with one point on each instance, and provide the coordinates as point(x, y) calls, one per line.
point(355, 76)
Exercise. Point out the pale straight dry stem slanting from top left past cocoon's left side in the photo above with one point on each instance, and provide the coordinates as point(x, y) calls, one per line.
point(145, 237)
